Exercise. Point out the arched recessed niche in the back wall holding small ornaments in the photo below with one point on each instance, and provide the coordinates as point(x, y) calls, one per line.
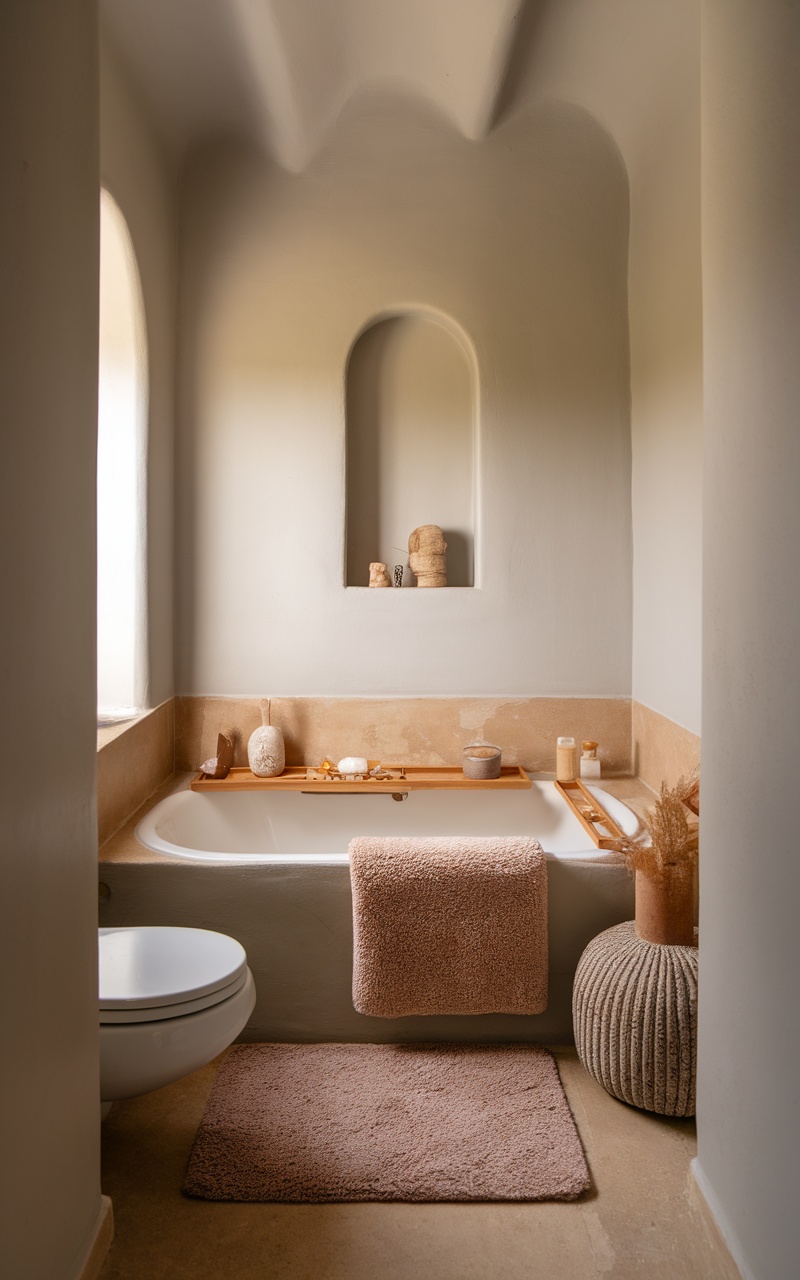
point(412, 420)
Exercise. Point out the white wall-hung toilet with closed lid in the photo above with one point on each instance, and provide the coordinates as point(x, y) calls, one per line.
point(171, 1000)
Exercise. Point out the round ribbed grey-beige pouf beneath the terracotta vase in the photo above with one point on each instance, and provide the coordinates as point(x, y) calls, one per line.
point(636, 1020)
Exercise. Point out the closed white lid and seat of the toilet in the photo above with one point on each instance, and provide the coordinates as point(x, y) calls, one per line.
point(154, 967)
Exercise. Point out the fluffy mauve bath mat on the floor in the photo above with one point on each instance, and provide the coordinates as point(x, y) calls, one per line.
point(319, 1123)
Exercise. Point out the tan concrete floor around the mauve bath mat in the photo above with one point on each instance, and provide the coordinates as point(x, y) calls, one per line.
point(641, 1220)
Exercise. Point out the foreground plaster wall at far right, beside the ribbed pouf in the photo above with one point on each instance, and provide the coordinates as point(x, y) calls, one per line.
point(749, 1030)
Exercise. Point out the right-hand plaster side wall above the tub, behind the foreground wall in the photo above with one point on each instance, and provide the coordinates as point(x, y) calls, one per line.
point(668, 397)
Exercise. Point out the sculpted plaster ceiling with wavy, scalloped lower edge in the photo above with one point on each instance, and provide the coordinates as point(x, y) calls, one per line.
point(280, 72)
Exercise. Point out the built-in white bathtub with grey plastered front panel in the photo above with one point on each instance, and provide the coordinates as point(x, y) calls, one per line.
point(272, 871)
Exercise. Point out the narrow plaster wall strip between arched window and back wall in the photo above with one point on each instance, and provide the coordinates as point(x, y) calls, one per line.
point(136, 171)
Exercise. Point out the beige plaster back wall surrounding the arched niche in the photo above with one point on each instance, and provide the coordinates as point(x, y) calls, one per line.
point(522, 240)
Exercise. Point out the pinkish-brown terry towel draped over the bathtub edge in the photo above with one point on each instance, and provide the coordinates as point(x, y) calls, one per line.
point(450, 926)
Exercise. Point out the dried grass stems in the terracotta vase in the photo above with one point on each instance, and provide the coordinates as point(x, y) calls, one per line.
point(668, 845)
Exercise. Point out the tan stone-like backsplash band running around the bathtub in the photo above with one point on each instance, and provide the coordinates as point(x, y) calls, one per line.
point(180, 734)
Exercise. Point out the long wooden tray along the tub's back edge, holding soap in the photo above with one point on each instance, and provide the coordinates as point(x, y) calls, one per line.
point(408, 778)
